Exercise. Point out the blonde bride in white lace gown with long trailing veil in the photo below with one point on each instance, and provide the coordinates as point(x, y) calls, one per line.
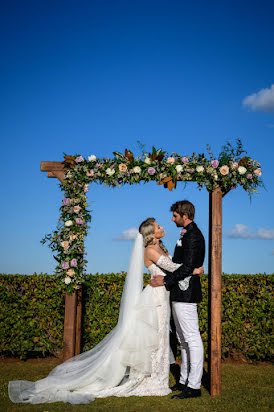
point(133, 359)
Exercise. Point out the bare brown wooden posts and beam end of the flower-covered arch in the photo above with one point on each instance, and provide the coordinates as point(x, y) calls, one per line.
point(73, 305)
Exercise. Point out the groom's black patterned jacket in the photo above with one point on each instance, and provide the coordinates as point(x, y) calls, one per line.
point(191, 253)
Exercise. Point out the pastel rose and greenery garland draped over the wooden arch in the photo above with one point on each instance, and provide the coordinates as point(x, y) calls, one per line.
point(227, 171)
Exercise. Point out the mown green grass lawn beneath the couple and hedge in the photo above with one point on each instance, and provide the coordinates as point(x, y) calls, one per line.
point(245, 388)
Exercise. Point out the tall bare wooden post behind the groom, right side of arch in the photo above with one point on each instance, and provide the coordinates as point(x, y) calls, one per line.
point(215, 289)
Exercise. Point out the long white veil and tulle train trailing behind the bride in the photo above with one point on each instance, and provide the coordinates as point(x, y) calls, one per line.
point(117, 363)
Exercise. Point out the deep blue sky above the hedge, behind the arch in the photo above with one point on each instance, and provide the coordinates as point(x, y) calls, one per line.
point(93, 77)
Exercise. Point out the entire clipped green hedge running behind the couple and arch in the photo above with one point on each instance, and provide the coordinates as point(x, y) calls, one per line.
point(32, 314)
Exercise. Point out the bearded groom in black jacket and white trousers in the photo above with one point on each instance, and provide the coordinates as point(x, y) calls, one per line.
point(185, 293)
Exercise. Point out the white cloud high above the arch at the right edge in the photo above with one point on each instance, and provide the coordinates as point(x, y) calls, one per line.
point(263, 100)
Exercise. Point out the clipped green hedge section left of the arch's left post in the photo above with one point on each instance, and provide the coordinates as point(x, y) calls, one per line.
point(31, 316)
